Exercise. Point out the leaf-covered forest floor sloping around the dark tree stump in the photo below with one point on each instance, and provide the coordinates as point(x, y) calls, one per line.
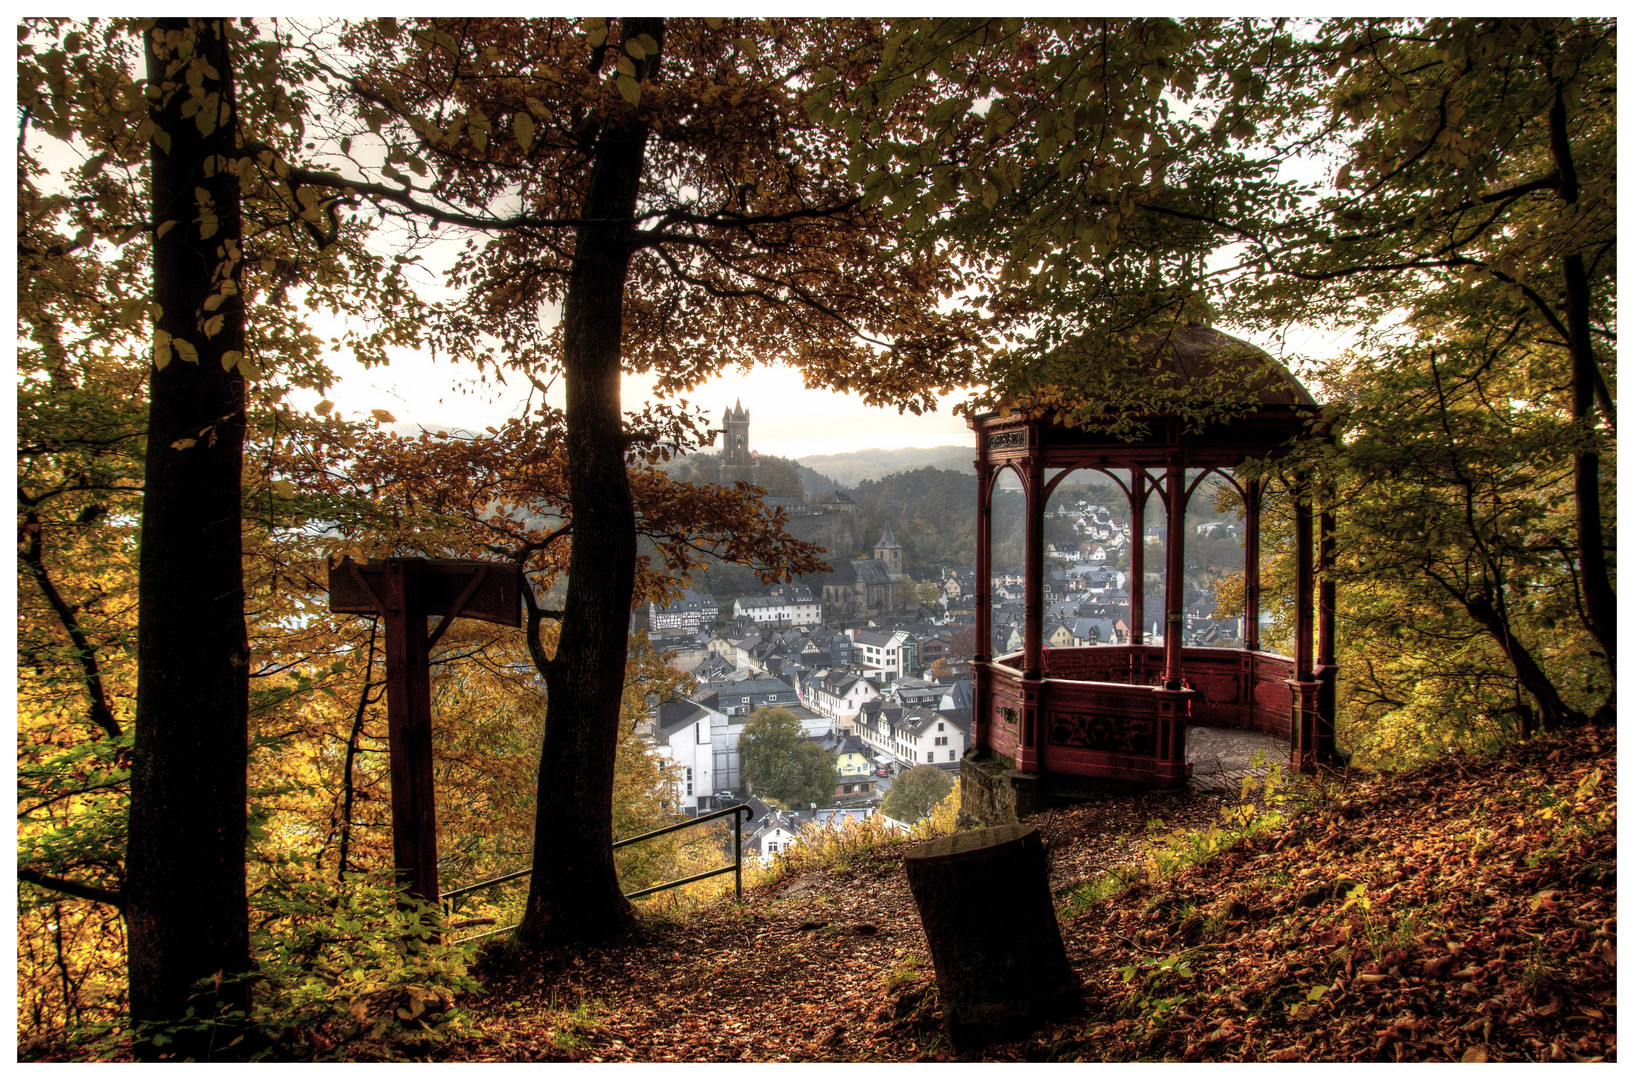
point(1465, 911)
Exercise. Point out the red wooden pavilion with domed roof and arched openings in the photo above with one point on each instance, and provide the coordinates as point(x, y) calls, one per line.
point(1051, 723)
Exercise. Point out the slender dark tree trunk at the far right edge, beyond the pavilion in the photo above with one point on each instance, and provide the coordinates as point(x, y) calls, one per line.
point(1601, 599)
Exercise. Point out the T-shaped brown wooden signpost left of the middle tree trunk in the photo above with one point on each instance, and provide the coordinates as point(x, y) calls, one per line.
point(406, 594)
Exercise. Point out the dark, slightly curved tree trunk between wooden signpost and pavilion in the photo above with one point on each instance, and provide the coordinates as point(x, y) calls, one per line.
point(574, 893)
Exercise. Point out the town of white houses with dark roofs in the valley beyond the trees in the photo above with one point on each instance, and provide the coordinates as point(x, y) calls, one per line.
point(873, 656)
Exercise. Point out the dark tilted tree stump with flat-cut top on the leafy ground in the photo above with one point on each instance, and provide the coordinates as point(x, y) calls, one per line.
point(988, 914)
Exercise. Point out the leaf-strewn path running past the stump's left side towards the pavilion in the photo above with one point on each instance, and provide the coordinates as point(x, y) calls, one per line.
point(819, 966)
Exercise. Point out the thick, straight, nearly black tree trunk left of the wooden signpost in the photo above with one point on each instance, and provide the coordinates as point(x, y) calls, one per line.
point(185, 895)
